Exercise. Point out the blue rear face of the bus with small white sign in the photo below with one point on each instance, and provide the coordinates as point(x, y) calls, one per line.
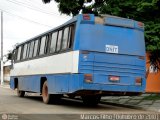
point(111, 50)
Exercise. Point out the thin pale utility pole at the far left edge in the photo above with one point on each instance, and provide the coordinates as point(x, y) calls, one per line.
point(2, 80)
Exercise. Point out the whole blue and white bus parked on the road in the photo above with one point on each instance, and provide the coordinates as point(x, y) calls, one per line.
point(88, 56)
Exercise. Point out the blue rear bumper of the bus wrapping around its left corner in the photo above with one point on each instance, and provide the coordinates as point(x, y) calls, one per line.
point(104, 88)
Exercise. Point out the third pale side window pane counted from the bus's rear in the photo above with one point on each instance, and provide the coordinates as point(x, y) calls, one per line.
point(53, 42)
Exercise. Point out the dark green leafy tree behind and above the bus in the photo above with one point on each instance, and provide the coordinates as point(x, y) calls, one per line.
point(147, 11)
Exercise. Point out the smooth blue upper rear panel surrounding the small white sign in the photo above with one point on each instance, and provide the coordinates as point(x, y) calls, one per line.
point(95, 38)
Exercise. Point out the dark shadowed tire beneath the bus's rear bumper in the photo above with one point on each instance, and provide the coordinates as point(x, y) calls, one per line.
point(91, 100)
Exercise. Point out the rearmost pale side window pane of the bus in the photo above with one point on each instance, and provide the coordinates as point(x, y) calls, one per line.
point(65, 38)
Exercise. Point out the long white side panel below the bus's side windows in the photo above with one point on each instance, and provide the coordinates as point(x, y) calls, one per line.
point(60, 63)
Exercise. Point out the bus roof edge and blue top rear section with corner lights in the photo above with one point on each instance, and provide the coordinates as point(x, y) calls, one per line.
point(92, 19)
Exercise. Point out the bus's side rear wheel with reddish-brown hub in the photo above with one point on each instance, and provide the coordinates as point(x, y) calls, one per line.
point(49, 98)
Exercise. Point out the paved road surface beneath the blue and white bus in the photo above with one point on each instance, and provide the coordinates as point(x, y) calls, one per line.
point(32, 107)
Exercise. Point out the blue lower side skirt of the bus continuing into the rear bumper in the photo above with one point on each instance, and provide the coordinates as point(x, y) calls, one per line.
point(70, 83)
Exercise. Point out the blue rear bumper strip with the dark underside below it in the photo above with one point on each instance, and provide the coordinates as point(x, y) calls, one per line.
point(107, 90)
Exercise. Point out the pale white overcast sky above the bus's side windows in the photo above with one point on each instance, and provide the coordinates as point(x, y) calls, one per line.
point(24, 19)
